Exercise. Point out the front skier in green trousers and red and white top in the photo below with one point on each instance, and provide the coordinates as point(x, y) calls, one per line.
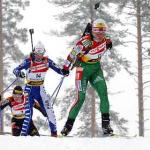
point(87, 55)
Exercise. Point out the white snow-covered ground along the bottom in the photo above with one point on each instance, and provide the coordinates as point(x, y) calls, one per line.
point(7, 142)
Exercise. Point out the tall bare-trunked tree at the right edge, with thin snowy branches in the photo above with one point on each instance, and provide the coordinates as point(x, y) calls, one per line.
point(138, 12)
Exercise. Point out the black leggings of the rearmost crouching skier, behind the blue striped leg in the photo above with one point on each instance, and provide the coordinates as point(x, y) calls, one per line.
point(16, 125)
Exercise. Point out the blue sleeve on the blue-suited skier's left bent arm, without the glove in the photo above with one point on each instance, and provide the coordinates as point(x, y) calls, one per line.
point(25, 65)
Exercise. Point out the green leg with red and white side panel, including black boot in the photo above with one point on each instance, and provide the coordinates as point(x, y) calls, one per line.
point(81, 85)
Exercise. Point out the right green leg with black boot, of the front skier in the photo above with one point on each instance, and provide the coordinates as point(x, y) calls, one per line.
point(98, 82)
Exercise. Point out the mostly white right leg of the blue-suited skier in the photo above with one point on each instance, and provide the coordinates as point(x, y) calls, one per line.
point(47, 104)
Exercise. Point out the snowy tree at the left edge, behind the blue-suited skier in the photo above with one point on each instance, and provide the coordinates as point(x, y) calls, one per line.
point(11, 36)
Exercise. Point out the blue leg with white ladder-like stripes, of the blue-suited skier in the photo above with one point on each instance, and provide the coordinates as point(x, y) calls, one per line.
point(28, 111)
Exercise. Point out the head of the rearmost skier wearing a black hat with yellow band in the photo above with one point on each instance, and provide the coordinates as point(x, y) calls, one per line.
point(17, 93)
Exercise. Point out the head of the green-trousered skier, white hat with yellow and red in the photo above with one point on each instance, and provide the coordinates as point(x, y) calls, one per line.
point(99, 28)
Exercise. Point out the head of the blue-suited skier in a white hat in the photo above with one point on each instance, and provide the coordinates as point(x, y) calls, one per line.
point(39, 51)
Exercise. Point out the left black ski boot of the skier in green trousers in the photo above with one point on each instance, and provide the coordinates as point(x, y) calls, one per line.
point(68, 126)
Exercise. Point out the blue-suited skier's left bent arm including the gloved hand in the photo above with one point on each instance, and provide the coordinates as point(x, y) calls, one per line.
point(18, 70)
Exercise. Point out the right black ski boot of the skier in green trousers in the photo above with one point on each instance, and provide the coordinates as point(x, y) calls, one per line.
point(106, 128)
